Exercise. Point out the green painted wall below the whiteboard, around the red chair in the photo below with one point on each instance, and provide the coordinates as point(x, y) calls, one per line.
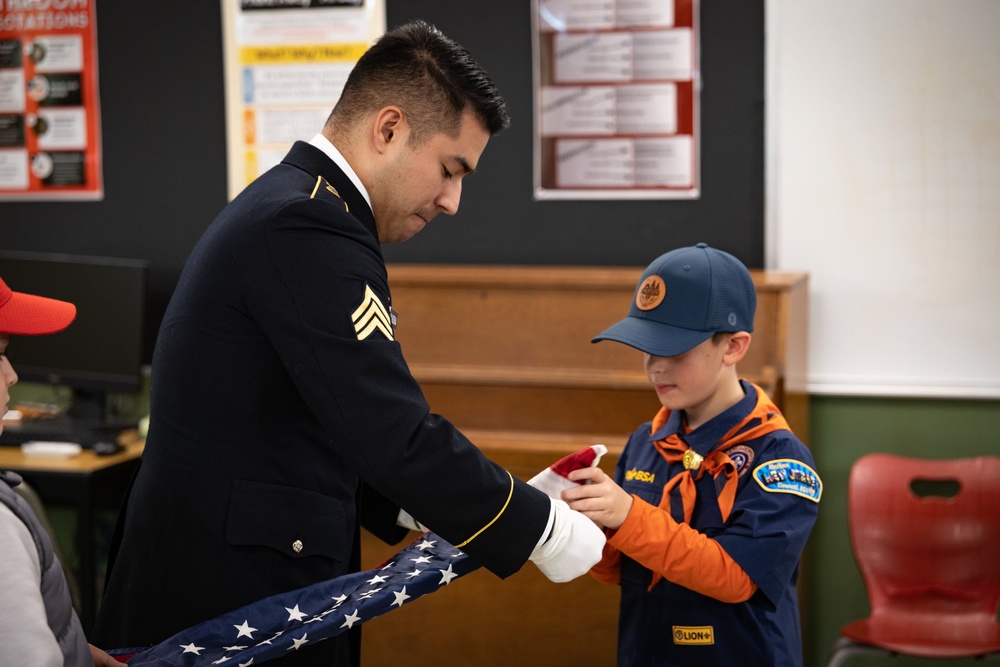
point(842, 429)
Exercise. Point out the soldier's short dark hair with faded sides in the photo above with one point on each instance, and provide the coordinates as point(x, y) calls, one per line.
point(429, 76)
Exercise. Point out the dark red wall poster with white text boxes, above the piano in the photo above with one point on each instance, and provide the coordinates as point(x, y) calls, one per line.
point(616, 94)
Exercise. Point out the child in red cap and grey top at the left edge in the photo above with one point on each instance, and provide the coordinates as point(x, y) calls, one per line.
point(38, 625)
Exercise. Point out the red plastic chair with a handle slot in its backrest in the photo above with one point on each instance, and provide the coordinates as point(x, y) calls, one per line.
point(926, 537)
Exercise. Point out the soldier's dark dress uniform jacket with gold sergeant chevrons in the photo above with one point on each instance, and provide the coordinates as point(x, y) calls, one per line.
point(274, 419)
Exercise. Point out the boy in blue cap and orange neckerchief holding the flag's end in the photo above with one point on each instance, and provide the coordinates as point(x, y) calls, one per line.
point(713, 500)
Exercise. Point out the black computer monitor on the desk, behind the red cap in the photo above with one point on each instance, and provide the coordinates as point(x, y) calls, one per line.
point(102, 350)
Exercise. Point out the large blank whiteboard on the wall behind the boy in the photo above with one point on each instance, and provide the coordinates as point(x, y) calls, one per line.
point(883, 183)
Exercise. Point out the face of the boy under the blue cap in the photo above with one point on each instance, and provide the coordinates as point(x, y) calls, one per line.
point(697, 381)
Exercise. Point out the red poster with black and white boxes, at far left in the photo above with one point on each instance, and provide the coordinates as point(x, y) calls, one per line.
point(50, 142)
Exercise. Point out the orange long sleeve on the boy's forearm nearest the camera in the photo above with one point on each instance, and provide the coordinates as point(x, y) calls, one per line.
point(679, 553)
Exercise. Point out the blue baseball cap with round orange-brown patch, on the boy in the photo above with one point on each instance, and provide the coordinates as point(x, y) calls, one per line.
point(683, 298)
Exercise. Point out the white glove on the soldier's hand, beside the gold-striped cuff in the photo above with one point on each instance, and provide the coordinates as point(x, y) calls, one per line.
point(572, 545)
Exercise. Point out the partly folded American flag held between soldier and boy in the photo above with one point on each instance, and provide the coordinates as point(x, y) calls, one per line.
point(271, 627)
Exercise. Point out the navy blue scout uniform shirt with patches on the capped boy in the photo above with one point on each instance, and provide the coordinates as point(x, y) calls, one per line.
point(671, 625)
